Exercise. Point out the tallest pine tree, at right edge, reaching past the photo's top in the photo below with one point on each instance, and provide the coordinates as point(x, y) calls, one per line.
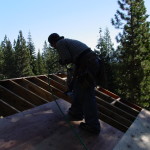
point(134, 50)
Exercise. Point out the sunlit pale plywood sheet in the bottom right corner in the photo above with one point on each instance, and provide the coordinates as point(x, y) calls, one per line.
point(137, 136)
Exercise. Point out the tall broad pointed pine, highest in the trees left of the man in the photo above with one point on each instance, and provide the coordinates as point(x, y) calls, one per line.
point(22, 57)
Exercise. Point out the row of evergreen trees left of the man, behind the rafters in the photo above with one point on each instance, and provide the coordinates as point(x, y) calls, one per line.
point(20, 59)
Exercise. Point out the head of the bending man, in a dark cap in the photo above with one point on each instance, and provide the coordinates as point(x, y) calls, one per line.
point(53, 38)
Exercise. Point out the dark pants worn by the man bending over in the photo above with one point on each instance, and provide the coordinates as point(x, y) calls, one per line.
point(84, 102)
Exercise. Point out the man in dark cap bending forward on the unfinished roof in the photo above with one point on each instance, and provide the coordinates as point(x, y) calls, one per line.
point(87, 65)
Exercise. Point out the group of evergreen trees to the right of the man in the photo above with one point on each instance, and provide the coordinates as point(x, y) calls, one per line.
point(128, 67)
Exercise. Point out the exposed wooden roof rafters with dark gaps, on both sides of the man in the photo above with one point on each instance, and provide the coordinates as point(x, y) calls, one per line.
point(25, 93)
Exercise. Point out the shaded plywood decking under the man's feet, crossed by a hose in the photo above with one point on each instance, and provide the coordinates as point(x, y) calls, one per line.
point(44, 128)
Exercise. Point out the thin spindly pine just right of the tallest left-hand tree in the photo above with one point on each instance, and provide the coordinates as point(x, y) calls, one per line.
point(31, 49)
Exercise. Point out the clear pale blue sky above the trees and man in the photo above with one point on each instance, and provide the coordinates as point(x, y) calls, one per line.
point(77, 19)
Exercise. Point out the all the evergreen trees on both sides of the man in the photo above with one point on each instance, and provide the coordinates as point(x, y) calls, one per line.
point(127, 66)
